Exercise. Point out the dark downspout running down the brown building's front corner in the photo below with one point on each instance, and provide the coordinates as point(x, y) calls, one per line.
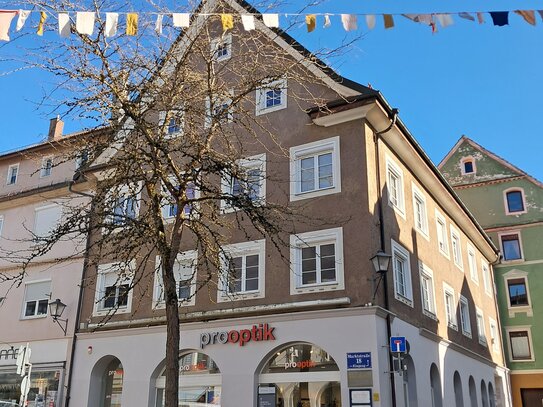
point(382, 243)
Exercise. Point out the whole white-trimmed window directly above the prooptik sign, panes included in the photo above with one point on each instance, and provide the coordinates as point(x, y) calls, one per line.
point(242, 274)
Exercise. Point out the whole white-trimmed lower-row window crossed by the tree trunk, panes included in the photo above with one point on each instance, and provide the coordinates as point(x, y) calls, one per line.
point(184, 271)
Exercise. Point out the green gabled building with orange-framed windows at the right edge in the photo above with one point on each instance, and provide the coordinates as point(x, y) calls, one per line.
point(508, 203)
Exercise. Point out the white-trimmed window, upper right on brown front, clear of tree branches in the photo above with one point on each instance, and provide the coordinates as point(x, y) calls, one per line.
point(315, 169)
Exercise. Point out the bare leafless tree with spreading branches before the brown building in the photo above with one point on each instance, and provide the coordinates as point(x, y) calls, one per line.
point(173, 166)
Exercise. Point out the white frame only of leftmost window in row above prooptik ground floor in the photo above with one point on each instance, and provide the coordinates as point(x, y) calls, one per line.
point(99, 298)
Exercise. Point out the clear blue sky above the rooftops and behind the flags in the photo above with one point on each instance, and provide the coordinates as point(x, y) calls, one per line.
point(479, 80)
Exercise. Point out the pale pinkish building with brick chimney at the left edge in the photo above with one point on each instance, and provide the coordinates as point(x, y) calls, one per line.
point(33, 188)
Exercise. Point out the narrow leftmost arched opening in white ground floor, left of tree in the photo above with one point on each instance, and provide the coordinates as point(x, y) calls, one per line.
point(106, 386)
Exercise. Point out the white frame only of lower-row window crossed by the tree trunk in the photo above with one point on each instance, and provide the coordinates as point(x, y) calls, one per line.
point(189, 258)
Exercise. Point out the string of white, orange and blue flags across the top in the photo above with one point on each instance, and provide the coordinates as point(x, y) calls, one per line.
point(85, 20)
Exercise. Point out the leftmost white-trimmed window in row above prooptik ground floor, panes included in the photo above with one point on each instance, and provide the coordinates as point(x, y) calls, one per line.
point(113, 288)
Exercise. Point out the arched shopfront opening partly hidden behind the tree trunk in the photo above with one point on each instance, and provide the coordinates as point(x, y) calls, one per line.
point(199, 381)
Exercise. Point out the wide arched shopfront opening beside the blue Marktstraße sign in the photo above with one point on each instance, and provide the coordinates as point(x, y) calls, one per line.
point(301, 375)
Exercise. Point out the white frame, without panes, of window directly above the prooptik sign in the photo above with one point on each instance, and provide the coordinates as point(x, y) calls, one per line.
point(257, 247)
